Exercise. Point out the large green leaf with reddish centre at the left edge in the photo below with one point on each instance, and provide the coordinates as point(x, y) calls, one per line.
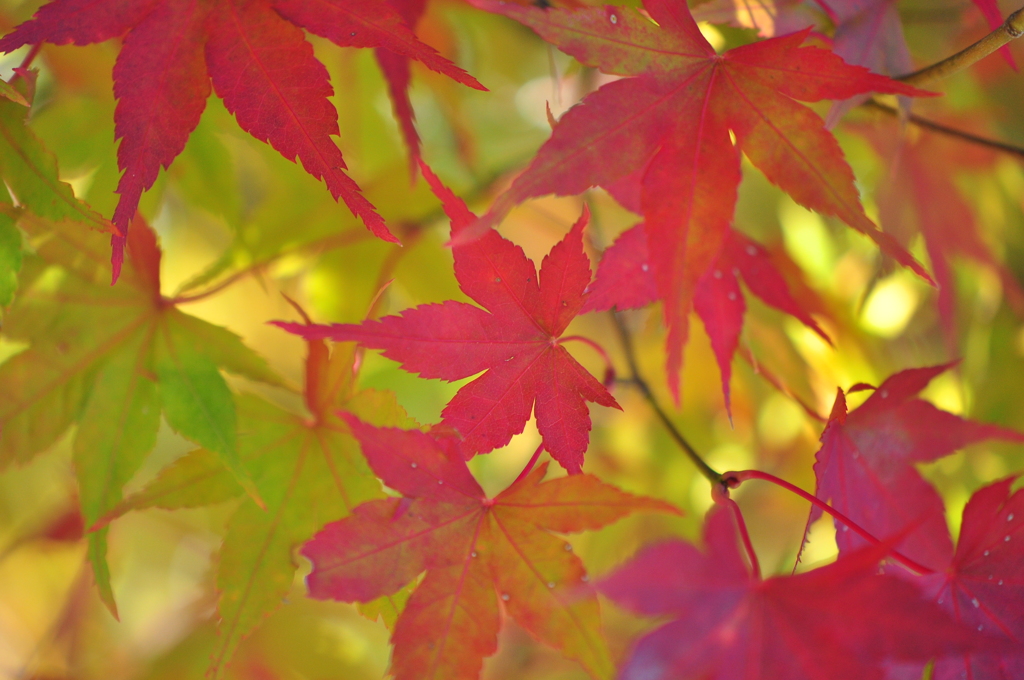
point(112, 360)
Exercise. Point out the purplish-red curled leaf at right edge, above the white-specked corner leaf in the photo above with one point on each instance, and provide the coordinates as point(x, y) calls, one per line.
point(866, 465)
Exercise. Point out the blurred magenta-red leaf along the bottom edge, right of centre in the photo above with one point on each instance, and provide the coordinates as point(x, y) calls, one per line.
point(840, 622)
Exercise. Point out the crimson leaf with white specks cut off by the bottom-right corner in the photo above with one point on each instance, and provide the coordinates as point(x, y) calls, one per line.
point(983, 587)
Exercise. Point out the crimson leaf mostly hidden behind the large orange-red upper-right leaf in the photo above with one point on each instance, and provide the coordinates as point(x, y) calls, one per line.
point(625, 281)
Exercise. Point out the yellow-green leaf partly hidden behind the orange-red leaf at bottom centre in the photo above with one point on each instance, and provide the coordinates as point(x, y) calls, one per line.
point(309, 471)
